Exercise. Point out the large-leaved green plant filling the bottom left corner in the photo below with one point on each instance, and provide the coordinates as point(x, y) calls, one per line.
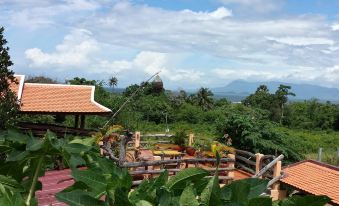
point(25, 158)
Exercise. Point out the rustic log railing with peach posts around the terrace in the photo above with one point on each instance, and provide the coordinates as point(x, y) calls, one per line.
point(259, 165)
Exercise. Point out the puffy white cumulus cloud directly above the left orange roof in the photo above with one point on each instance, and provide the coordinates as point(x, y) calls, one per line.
point(74, 51)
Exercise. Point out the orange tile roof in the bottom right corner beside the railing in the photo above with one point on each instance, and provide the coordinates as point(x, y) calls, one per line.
point(315, 178)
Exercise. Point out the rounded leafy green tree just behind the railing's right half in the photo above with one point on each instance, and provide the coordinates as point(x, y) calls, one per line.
point(252, 132)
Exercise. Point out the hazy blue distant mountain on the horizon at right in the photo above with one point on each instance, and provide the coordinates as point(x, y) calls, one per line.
point(243, 88)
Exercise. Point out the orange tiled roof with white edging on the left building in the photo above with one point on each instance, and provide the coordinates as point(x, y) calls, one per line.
point(57, 98)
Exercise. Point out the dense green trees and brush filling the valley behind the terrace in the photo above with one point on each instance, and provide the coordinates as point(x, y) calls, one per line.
point(264, 122)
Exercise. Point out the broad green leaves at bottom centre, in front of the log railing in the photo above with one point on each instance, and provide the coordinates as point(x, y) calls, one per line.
point(103, 183)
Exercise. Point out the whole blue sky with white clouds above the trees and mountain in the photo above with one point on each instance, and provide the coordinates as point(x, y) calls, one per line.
point(193, 42)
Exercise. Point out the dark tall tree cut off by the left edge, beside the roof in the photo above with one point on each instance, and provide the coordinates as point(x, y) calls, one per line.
point(8, 100)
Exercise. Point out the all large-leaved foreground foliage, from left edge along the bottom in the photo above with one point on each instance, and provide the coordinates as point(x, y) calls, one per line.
point(104, 183)
